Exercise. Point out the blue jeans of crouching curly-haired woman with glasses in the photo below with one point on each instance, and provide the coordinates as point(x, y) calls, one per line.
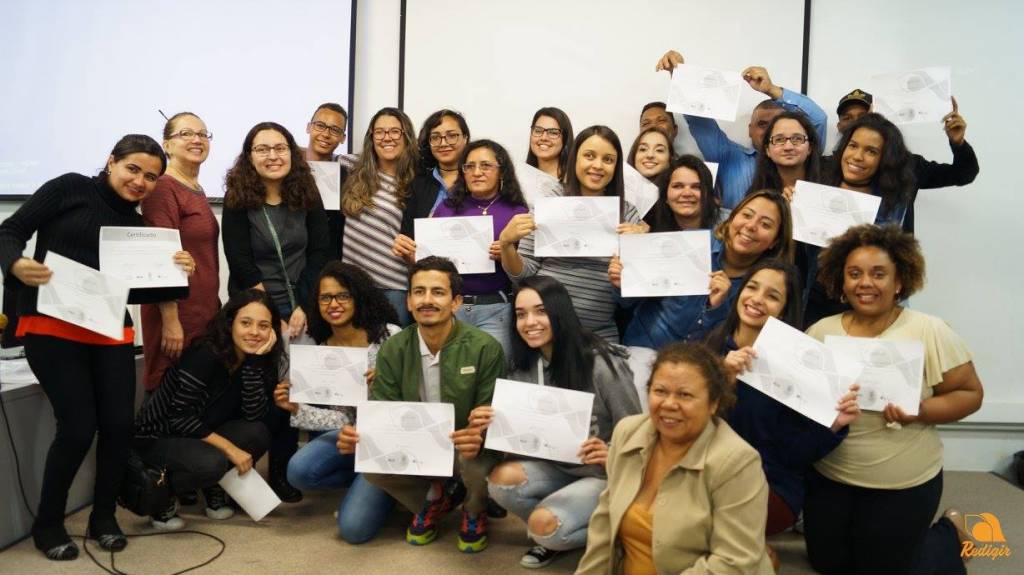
point(319, 466)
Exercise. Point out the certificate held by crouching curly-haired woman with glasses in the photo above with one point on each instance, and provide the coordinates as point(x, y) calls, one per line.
point(328, 375)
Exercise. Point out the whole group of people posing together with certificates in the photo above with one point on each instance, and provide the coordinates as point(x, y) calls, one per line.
point(719, 464)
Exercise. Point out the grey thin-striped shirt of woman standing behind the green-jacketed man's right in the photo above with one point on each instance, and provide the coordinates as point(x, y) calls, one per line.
point(585, 279)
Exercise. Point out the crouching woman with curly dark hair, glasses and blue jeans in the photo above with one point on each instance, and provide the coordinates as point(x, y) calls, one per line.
point(353, 314)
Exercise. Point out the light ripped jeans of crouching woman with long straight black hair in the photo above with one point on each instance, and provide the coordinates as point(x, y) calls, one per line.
point(572, 500)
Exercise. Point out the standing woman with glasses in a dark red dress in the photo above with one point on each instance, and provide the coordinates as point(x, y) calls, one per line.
point(180, 202)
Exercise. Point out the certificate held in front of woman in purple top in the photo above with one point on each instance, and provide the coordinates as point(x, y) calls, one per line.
point(465, 241)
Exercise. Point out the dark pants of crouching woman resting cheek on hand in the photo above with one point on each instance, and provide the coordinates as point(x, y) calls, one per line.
point(193, 464)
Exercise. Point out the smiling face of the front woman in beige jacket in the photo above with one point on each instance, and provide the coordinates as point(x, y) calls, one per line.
point(679, 404)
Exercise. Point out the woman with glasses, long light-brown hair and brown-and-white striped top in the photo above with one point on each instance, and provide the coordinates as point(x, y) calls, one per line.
point(373, 201)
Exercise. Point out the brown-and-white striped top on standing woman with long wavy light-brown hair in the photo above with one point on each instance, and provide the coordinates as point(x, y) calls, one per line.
point(368, 238)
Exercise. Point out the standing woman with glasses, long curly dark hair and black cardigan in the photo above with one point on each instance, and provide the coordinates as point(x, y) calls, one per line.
point(276, 240)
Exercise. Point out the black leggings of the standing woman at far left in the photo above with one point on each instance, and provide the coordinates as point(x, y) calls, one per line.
point(92, 388)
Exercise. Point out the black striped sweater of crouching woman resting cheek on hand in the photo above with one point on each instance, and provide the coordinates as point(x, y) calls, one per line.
point(192, 386)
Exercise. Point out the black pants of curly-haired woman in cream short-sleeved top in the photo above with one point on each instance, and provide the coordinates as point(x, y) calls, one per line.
point(857, 530)
